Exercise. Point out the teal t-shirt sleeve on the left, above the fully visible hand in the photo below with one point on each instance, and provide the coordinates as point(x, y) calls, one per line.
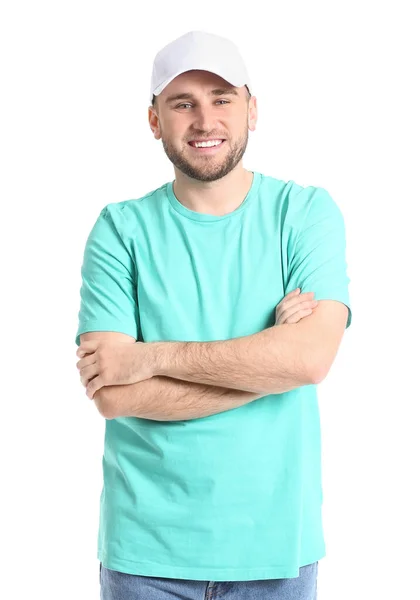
point(108, 294)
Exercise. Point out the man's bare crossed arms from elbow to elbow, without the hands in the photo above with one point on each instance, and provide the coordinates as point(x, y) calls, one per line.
point(197, 379)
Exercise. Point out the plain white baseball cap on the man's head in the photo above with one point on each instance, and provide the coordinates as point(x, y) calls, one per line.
point(198, 50)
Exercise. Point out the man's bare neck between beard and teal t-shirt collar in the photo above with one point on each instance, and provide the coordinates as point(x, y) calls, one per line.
point(213, 197)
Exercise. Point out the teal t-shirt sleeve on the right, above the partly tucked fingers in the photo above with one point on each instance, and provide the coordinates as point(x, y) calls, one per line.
point(317, 246)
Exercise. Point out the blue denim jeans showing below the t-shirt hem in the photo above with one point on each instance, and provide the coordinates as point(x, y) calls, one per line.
point(122, 586)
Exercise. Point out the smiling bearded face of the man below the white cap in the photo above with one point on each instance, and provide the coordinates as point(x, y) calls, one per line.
point(210, 108)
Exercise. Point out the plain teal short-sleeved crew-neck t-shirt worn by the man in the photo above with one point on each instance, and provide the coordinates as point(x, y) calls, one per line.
point(237, 495)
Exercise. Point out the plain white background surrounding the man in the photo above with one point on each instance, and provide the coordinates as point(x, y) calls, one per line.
point(338, 107)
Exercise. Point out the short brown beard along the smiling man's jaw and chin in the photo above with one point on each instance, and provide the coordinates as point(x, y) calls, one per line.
point(207, 168)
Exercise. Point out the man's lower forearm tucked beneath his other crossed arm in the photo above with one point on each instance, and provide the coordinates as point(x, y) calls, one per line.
point(164, 399)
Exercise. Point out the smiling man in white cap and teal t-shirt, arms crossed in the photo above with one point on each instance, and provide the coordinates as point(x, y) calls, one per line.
point(201, 345)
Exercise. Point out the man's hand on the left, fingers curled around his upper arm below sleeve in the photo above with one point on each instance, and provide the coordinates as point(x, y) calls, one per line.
point(118, 363)
